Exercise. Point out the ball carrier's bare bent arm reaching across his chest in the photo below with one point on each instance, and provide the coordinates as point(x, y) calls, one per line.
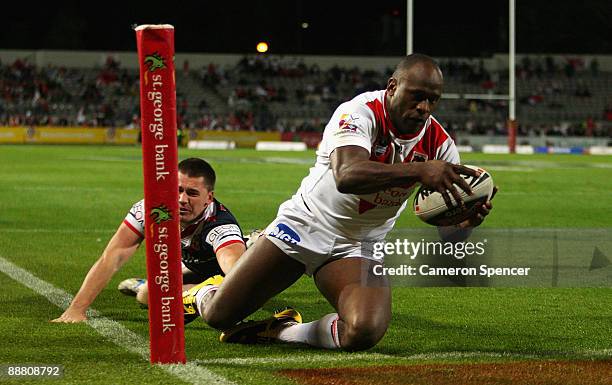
point(355, 173)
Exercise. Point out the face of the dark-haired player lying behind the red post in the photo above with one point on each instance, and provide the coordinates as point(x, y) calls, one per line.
point(194, 197)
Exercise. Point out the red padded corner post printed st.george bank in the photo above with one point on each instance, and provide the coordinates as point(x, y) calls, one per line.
point(160, 162)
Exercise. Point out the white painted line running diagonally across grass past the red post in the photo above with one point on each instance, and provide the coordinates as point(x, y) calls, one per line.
point(112, 330)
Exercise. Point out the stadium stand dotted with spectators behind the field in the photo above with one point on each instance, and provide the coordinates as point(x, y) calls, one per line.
point(267, 93)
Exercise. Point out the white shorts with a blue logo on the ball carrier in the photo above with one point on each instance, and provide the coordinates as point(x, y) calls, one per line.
point(298, 234)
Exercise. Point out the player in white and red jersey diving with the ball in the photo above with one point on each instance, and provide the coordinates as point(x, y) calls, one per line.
point(375, 150)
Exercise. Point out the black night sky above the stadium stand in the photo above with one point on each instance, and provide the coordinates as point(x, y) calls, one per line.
point(442, 28)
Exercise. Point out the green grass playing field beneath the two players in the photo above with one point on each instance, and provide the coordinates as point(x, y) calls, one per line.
point(59, 205)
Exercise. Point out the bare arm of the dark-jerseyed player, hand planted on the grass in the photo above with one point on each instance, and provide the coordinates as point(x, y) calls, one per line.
point(120, 248)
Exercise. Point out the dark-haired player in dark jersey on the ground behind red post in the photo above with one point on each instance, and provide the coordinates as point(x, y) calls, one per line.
point(211, 240)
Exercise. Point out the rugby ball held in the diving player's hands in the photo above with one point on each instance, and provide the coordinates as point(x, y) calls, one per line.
point(430, 207)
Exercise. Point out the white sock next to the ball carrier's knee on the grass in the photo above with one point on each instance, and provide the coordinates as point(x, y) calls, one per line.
point(322, 333)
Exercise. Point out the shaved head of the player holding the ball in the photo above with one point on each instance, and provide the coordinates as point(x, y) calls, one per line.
point(413, 96)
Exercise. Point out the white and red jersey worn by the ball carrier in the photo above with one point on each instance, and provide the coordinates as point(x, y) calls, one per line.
point(364, 122)
